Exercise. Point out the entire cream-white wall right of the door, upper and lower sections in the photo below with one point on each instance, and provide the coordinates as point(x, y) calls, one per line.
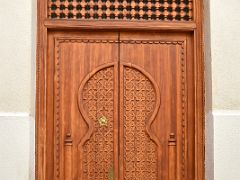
point(225, 88)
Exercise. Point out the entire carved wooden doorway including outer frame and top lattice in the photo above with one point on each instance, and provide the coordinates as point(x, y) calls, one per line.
point(119, 99)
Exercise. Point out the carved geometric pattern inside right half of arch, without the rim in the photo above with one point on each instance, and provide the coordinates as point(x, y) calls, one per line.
point(140, 152)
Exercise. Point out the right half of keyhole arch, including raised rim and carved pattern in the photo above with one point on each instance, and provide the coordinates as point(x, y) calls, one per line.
point(139, 104)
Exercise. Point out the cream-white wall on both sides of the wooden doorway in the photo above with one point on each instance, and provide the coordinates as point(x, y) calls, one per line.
point(17, 94)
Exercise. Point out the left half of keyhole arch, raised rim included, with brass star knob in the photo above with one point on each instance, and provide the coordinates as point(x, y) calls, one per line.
point(98, 104)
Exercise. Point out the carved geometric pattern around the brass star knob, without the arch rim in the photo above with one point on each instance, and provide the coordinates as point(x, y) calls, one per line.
point(97, 102)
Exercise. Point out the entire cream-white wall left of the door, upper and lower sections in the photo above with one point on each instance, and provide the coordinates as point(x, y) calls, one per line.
point(17, 74)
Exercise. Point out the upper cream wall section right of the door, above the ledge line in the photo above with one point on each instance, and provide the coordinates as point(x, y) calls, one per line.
point(225, 37)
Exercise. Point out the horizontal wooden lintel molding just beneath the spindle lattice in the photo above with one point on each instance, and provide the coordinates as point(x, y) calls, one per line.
point(119, 25)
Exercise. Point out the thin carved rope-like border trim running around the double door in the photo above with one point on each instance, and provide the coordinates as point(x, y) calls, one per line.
point(59, 40)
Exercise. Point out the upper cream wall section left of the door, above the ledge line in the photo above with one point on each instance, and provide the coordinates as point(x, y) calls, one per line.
point(16, 52)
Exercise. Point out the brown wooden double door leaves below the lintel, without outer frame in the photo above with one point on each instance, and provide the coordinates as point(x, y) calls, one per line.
point(120, 105)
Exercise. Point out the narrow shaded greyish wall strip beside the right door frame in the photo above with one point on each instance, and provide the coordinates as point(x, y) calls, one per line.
point(209, 127)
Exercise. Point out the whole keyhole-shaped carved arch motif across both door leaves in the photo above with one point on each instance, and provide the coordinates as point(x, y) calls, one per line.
point(141, 100)
